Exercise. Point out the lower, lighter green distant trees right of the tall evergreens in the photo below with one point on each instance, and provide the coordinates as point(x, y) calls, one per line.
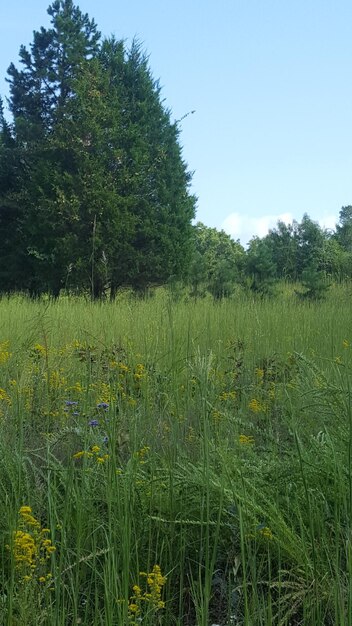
point(302, 252)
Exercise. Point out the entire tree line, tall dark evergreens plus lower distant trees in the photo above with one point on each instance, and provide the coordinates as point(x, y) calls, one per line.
point(95, 194)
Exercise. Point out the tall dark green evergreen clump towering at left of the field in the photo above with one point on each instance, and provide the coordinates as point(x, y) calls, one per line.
point(96, 185)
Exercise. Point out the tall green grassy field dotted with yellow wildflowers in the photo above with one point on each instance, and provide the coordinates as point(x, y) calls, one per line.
point(168, 462)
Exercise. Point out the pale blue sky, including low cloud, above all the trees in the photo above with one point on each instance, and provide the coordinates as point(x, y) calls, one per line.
point(270, 85)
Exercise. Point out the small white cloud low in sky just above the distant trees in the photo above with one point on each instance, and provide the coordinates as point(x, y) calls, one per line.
point(244, 227)
